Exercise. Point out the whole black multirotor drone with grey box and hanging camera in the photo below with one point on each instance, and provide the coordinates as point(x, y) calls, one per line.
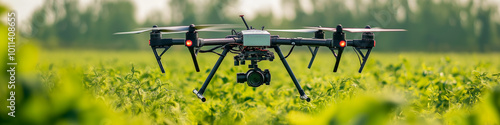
point(252, 45)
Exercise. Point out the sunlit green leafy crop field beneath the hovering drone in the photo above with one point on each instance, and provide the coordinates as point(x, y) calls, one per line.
point(127, 87)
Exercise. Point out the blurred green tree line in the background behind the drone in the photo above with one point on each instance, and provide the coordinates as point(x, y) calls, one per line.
point(433, 25)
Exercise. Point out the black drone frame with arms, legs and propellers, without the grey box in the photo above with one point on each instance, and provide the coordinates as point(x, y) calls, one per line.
point(336, 45)
